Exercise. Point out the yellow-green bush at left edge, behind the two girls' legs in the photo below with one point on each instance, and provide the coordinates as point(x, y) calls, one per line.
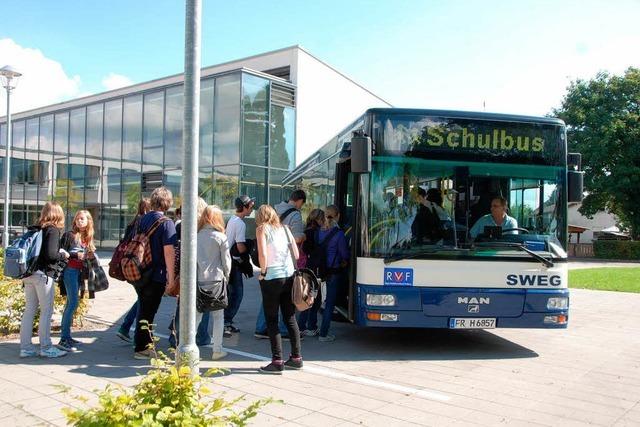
point(12, 304)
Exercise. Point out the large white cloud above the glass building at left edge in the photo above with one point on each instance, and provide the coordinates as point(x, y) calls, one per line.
point(43, 82)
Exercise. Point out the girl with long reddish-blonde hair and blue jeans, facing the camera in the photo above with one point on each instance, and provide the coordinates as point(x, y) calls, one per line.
point(79, 244)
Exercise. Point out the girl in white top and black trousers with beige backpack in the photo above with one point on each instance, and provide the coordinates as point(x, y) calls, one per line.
point(277, 251)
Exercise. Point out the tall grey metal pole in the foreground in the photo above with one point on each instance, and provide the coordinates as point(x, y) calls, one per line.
point(188, 353)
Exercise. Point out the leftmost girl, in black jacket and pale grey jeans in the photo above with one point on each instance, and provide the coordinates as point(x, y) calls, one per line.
point(39, 288)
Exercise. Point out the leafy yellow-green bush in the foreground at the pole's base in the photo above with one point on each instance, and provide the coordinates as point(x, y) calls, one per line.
point(166, 396)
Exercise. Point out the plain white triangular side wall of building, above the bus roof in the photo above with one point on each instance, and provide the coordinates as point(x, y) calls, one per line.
point(327, 102)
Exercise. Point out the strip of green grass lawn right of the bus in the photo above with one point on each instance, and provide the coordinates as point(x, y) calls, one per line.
point(619, 279)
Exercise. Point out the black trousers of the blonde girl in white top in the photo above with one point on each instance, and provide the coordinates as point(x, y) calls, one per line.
point(276, 294)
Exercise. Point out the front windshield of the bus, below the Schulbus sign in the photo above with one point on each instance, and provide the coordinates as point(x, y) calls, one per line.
point(402, 222)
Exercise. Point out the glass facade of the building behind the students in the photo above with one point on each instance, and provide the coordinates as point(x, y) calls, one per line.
point(105, 155)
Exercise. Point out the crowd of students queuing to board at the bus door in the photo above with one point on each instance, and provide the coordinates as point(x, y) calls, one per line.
point(283, 244)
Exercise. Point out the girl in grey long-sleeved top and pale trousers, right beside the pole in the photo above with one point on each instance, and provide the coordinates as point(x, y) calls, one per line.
point(214, 266)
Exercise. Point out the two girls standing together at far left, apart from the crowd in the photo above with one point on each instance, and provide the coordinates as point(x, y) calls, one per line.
point(61, 254)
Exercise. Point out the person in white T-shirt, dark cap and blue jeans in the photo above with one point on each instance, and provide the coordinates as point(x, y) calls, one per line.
point(236, 236)
